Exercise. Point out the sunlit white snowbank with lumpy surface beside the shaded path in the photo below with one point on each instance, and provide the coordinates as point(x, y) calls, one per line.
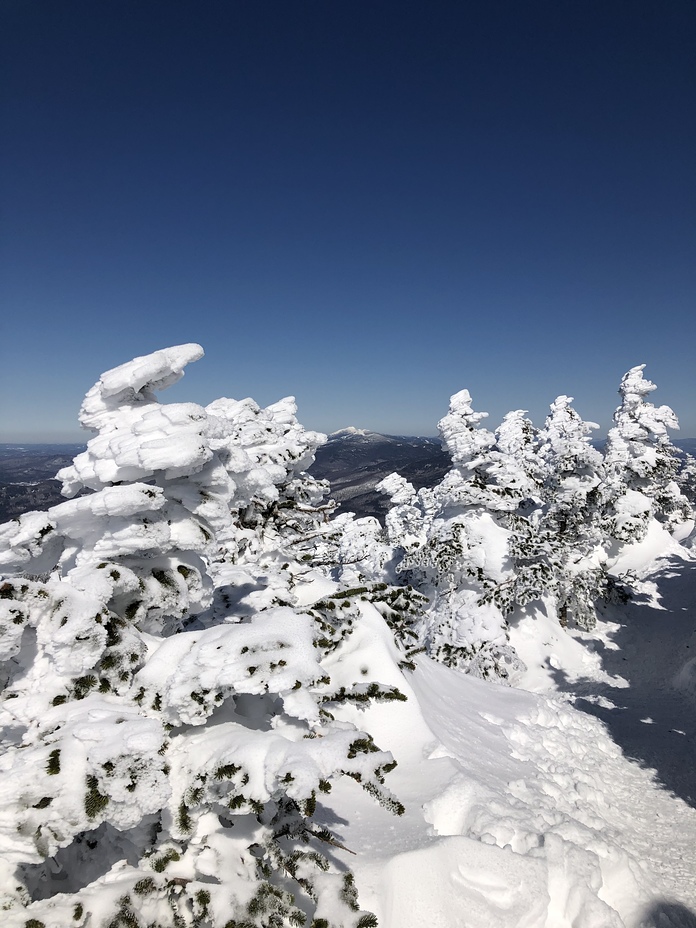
point(522, 811)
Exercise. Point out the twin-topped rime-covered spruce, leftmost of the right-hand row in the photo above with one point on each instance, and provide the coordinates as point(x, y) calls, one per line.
point(451, 543)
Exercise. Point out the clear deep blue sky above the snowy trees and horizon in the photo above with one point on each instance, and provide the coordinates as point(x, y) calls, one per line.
point(367, 204)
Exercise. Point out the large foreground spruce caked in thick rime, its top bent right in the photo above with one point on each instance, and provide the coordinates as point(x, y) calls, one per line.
point(168, 721)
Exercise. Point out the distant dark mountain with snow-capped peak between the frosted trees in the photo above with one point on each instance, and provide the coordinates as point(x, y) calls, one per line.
point(355, 460)
